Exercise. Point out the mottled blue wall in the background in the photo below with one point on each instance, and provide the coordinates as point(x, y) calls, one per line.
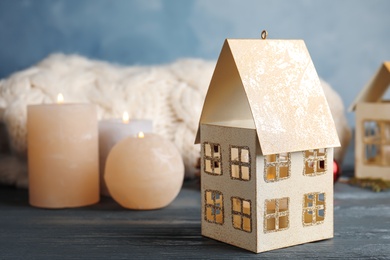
point(348, 40)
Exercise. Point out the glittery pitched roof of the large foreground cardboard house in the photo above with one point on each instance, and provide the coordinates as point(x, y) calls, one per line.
point(274, 84)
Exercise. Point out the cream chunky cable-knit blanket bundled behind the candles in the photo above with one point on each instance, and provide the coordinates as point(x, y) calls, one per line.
point(171, 95)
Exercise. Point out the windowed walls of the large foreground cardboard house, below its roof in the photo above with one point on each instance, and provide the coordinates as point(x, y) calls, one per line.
point(253, 201)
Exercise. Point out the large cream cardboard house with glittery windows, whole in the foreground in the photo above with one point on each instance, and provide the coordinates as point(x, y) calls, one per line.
point(267, 138)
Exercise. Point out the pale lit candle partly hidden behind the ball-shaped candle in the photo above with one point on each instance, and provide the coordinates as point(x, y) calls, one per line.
point(111, 131)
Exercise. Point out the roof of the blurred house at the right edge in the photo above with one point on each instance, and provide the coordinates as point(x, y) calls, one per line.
point(375, 88)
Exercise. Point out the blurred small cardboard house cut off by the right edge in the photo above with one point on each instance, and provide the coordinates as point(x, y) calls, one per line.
point(372, 136)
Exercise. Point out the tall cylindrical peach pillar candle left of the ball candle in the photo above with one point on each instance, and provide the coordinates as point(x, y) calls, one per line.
point(63, 155)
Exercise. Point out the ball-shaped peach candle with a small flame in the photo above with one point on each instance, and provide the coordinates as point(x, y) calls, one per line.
point(144, 172)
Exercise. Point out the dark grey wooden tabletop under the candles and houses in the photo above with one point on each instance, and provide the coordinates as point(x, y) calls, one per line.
point(107, 231)
